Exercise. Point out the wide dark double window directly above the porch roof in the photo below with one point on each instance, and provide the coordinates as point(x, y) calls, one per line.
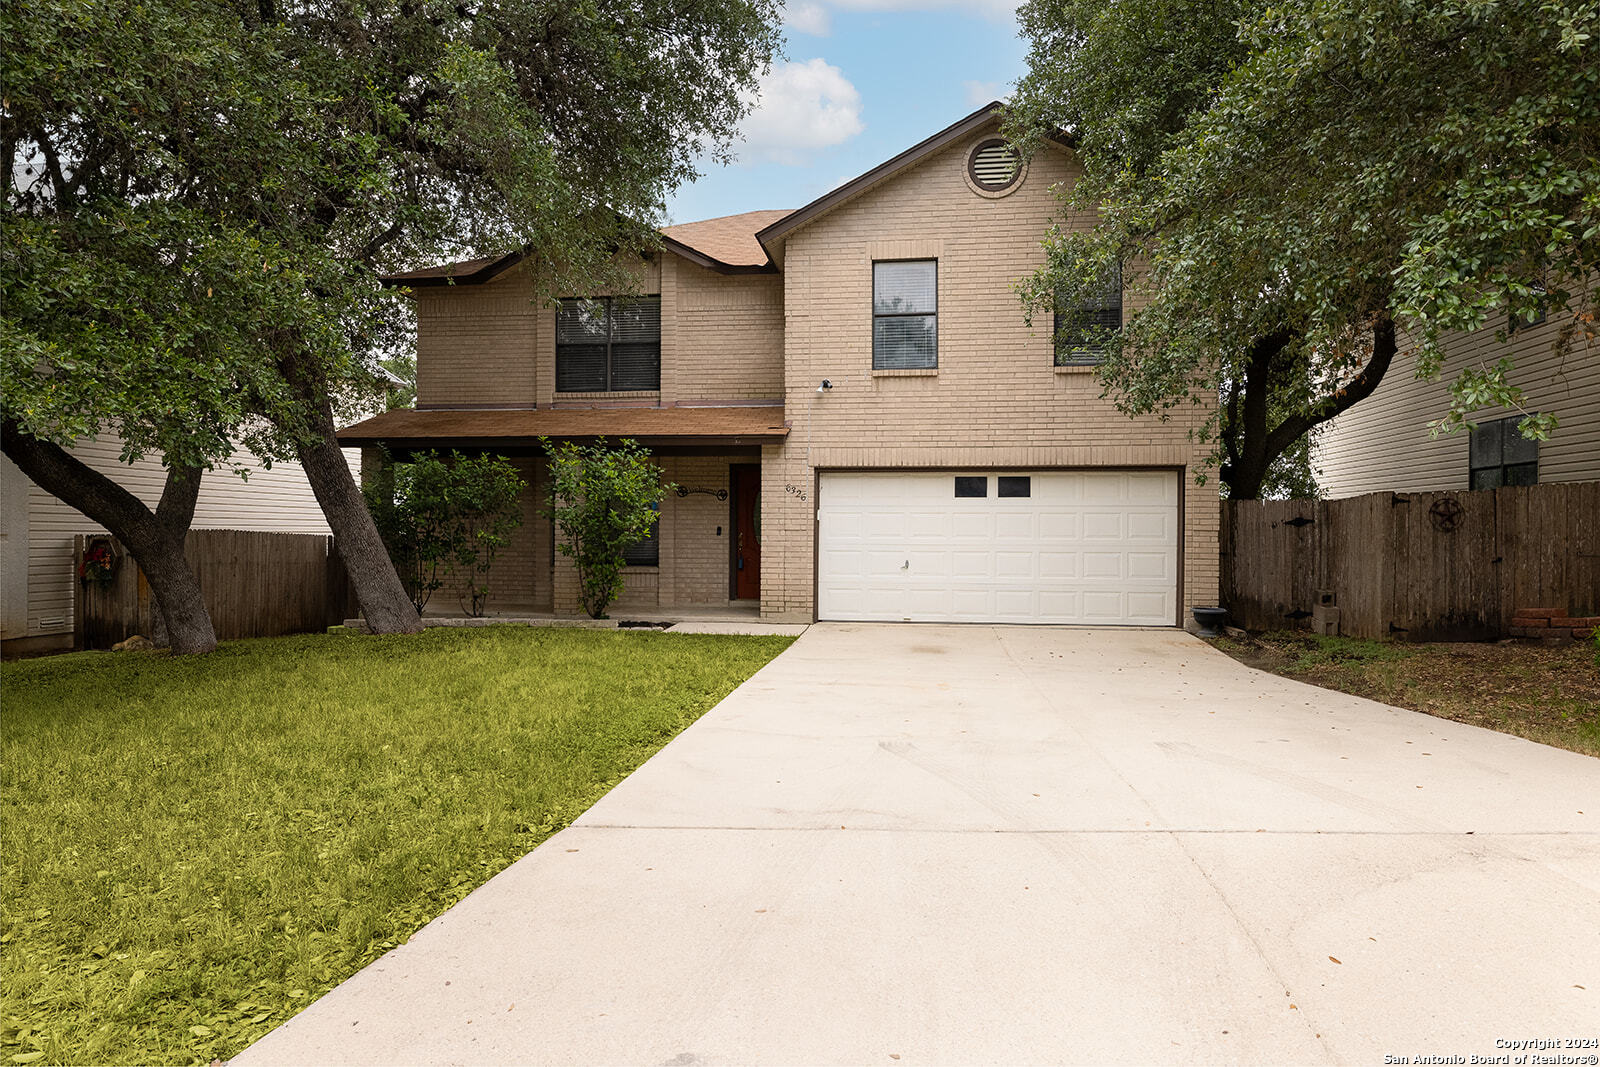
point(609, 345)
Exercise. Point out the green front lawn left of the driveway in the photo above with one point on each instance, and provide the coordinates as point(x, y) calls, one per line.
point(198, 849)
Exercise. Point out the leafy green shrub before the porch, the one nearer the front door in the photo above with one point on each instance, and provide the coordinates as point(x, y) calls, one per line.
point(604, 502)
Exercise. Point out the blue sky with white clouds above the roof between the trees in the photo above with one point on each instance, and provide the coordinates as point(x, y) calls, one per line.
point(862, 82)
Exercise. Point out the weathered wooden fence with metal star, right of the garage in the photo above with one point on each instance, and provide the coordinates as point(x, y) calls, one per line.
point(1422, 567)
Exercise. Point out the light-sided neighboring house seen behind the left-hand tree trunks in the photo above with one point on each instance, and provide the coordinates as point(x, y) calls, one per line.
point(36, 530)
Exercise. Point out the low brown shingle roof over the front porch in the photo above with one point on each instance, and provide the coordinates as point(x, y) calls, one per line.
point(423, 430)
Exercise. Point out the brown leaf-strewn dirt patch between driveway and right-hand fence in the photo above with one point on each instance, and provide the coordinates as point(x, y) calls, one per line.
point(1546, 695)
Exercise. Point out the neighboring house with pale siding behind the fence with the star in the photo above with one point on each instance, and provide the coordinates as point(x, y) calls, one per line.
point(1383, 444)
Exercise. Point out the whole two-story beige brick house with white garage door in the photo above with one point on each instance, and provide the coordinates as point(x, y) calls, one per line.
point(858, 418)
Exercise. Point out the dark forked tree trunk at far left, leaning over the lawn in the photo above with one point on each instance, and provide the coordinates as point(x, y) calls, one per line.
point(154, 540)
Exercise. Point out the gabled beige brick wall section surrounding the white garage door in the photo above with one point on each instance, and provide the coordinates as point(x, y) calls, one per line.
point(996, 399)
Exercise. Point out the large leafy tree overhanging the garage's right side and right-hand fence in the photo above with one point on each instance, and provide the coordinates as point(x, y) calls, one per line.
point(1298, 190)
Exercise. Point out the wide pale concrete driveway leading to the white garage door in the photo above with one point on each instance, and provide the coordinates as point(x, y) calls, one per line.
point(916, 844)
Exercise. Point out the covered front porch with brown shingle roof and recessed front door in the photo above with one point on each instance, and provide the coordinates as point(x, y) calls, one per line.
point(705, 556)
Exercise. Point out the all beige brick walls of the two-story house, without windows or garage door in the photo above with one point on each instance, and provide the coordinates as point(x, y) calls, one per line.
point(996, 401)
